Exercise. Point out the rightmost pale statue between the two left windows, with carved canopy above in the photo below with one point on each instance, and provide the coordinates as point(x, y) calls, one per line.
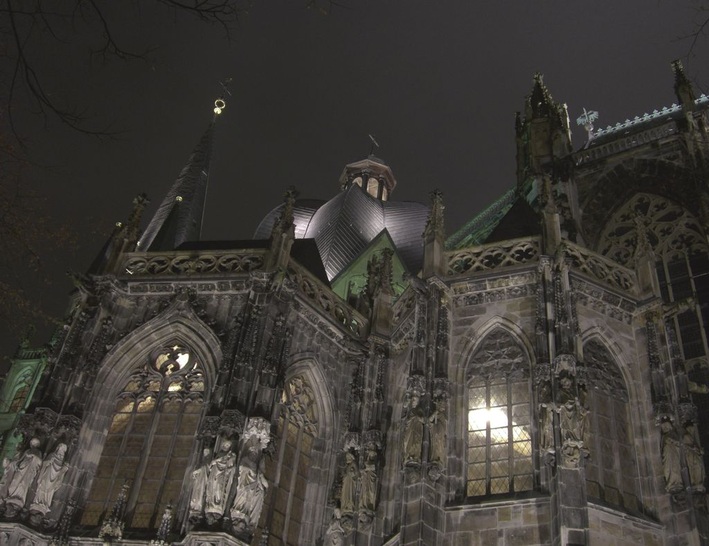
point(252, 484)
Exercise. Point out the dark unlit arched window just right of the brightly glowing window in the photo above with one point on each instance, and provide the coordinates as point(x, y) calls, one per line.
point(611, 473)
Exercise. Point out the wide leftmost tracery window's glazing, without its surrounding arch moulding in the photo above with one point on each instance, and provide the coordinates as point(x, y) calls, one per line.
point(150, 439)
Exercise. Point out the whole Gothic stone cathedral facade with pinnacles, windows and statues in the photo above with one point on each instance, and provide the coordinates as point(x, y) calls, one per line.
point(541, 380)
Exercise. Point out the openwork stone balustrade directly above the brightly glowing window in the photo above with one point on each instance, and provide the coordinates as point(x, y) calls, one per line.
point(492, 256)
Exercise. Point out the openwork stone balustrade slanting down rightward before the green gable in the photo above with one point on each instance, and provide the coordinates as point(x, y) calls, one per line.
point(325, 300)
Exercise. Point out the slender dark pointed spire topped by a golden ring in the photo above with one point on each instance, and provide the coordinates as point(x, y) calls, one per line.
point(179, 217)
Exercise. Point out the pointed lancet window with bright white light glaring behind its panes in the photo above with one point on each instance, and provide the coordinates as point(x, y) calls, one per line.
point(499, 458)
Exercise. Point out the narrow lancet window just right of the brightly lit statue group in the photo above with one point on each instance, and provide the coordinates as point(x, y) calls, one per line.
point(288, 469)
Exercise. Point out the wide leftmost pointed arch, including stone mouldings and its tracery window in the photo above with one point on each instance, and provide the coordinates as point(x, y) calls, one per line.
point(145, 402)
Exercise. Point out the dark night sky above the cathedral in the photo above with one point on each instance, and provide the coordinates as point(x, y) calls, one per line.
point(437, 82)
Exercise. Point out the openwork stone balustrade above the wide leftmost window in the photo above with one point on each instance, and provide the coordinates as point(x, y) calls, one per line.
point(187, 263)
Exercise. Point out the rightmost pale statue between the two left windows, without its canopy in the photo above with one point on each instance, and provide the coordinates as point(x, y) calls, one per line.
point(251, 488)
